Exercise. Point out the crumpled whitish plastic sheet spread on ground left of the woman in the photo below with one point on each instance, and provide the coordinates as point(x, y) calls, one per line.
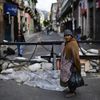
point(43, 79)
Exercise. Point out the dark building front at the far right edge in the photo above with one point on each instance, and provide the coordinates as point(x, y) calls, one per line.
point(94, 20)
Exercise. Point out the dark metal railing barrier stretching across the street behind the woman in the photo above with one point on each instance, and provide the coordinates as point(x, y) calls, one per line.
point(54, 55)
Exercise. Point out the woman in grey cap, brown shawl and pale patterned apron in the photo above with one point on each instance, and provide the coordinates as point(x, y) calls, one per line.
point(69, 59)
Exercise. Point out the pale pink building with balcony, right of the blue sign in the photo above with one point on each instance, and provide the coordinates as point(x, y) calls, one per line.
point(27, 16)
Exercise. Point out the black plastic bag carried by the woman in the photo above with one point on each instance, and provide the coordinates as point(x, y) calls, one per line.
point(76, 80)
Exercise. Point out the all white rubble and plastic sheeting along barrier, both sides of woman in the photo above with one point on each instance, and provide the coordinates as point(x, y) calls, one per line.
point(41, 74)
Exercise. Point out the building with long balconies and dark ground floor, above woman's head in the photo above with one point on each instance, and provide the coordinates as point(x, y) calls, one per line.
point(66, 15)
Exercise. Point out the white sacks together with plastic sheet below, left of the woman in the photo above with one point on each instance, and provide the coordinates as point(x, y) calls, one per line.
point(36, 75)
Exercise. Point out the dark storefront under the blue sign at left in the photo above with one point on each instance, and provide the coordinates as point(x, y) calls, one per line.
point(10, 17)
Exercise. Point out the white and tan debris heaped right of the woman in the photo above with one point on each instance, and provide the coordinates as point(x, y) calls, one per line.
point(89, 65)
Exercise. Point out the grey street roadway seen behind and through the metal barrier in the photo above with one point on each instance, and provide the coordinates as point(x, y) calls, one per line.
point(43, 50)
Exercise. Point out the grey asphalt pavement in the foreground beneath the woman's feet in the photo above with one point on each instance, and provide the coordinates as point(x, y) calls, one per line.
point(10, 90)
